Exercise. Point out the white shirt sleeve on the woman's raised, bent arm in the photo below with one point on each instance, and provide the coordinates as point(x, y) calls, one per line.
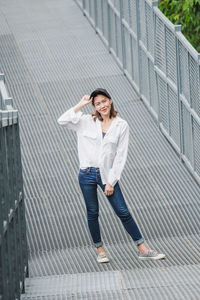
point(71, 119)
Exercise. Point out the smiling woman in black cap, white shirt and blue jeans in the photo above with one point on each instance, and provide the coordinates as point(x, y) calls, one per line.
point(102, 148)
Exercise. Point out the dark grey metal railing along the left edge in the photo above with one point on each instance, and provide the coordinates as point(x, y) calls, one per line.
point(13, 243)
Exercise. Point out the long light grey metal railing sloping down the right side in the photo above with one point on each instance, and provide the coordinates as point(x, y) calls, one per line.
point(160, 63)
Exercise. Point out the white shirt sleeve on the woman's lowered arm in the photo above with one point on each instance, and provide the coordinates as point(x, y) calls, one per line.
point(121, 156)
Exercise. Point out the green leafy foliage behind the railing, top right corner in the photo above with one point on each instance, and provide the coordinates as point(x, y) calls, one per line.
point(186, 13)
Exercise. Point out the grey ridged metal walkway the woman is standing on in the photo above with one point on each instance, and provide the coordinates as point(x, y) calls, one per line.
point(51, 57)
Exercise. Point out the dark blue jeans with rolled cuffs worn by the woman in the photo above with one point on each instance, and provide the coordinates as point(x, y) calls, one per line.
point(88, 180)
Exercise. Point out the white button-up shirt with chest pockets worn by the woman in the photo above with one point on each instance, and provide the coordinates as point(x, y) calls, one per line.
point(108, 153)
